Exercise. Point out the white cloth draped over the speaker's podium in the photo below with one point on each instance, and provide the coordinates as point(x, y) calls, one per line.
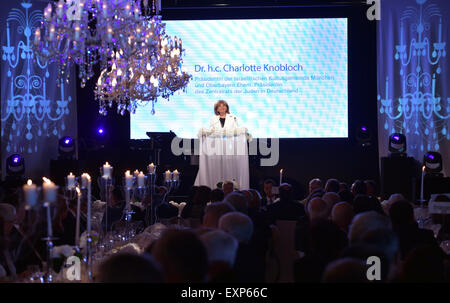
point(223, 158)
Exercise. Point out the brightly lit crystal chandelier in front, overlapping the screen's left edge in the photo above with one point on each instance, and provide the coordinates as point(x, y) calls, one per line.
point(153, 71)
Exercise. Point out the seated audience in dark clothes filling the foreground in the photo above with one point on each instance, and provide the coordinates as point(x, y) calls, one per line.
point(235, 236)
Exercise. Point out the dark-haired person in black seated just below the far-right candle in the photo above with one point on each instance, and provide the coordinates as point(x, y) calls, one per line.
point(404, 225)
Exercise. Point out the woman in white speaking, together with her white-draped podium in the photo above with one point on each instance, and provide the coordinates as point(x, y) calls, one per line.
point(223, 150)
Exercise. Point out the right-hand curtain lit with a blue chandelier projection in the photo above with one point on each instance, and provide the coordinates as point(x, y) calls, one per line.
point(414, 76)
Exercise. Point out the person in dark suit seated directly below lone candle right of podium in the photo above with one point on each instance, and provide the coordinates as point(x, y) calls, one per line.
point(286, 208)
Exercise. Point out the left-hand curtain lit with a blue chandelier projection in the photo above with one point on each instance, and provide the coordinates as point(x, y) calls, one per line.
point(35, 111)
